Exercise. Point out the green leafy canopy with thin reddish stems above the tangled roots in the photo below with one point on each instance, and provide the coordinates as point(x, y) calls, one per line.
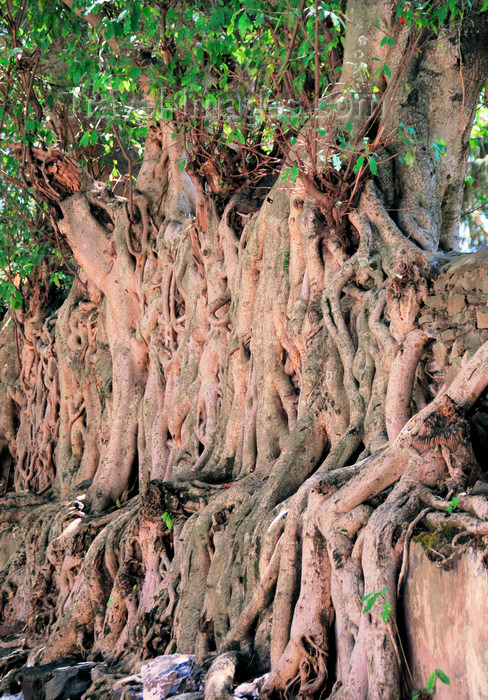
point(239, 82)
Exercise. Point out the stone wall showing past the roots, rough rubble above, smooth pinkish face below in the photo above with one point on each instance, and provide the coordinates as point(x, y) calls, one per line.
point(445, 613)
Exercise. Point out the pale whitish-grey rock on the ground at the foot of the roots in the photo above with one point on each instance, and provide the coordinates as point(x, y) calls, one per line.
point(169, 675)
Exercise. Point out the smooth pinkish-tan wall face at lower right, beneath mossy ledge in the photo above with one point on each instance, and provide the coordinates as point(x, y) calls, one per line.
point(445, 615)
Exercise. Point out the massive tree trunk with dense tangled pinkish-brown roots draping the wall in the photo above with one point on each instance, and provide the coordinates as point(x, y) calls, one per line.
point(241, 441)
